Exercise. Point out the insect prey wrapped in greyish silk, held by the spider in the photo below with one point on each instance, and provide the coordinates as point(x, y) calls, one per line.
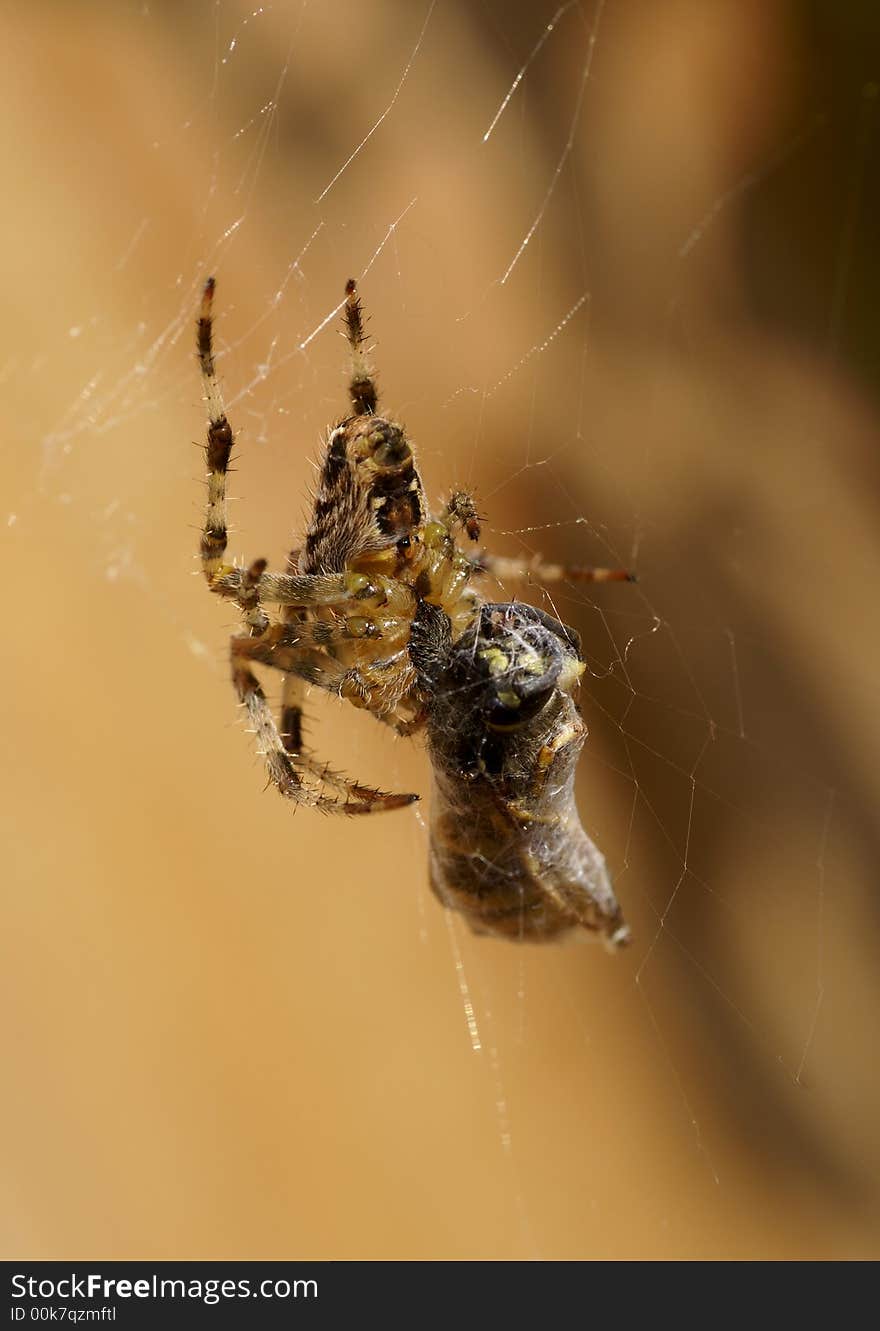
point(508, 849)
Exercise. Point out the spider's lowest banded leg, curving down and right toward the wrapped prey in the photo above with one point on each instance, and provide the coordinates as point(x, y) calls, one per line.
point(290, 771)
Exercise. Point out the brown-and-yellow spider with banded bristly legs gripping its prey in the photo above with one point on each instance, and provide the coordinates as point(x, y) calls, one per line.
point(345, 606)
